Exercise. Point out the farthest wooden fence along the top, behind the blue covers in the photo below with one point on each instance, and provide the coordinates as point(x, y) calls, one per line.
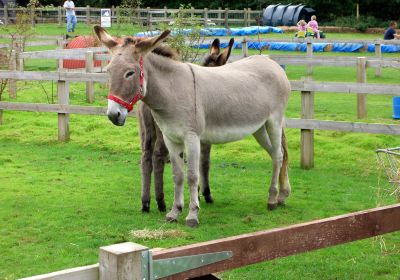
point(148, 16)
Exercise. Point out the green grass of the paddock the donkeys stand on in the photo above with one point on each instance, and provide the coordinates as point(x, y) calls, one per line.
point(60, 202)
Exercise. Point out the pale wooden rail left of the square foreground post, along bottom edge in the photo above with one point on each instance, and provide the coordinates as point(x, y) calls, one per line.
point(90, 272)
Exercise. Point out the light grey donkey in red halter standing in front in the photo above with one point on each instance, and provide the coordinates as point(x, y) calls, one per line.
point(248, 96)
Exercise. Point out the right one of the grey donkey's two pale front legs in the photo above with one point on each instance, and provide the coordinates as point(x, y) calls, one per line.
point(192, 143)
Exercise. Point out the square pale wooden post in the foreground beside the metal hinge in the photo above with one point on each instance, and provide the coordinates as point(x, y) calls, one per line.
point(122, 261)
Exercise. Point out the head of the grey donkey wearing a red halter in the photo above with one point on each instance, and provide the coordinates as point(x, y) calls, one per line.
point(125, 72)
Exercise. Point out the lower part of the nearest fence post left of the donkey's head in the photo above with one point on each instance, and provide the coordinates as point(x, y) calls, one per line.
point(63, 119)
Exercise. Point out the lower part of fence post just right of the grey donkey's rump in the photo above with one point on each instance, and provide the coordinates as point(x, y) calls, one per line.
point(307, 135)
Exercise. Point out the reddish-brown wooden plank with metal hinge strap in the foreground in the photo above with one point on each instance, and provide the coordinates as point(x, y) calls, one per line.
point(281, 242)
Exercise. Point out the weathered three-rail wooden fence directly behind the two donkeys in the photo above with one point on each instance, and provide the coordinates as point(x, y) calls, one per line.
point(307, 87)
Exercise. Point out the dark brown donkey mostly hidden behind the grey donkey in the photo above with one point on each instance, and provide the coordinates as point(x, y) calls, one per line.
point(154, 150)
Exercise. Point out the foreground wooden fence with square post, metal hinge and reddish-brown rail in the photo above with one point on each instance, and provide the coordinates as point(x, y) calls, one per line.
point(134, 261)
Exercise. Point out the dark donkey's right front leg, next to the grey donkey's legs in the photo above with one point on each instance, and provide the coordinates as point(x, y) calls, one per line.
point(159, 155)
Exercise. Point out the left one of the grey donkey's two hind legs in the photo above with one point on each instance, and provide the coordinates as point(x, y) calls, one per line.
point(274, 129)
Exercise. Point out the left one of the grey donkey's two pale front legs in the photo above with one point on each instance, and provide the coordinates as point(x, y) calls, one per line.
point(177, 170)
